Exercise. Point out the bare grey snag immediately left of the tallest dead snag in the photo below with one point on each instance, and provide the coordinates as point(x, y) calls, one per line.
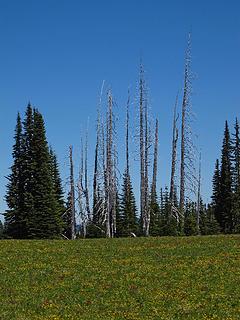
point(173, 162)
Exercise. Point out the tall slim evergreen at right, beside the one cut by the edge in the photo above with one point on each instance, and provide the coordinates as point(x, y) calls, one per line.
point(224, 216)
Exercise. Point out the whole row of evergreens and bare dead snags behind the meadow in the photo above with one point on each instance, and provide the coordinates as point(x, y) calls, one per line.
point(38, 208)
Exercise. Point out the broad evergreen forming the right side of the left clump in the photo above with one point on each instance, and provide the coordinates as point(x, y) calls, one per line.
point(45, 220)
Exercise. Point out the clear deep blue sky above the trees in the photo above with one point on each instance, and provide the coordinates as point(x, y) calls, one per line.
point(56, 54)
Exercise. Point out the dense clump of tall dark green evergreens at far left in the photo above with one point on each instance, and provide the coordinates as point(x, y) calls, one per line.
point(34, 194)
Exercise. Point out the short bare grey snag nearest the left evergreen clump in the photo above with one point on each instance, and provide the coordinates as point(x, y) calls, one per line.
point(72, 195)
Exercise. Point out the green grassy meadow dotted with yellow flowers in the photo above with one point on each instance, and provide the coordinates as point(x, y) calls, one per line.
point(153, 278)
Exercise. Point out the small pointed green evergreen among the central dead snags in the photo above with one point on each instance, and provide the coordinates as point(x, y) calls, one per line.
point(127, 209)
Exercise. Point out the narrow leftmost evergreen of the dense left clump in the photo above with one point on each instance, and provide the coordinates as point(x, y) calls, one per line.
point(14, 216)
